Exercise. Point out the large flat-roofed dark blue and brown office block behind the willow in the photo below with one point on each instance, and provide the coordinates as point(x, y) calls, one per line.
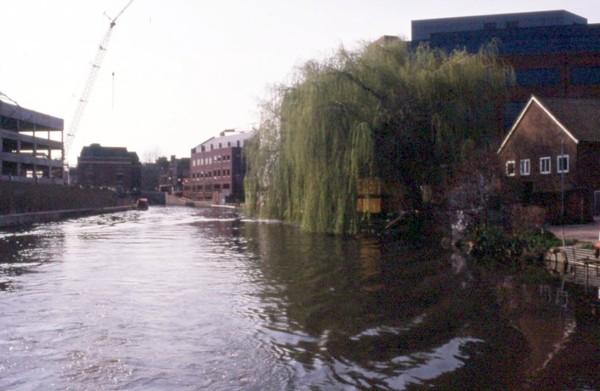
point(553, 53)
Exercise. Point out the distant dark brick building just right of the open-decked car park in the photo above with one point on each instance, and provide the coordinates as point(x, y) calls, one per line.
point(112, 167)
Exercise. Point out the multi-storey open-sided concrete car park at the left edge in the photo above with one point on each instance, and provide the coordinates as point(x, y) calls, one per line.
point(31, 145)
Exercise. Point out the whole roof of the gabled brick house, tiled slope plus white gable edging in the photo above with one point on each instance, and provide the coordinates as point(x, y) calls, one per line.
point(578, 118)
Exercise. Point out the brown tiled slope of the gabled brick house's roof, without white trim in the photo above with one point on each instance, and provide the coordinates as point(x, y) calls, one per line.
point(580, 116)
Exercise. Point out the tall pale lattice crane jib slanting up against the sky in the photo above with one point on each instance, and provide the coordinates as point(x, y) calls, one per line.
point(89, 85)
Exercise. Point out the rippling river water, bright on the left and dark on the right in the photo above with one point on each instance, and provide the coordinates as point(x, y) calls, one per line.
point(194, 299)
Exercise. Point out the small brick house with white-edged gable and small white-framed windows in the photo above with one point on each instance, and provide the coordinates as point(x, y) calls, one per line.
point(553, 151)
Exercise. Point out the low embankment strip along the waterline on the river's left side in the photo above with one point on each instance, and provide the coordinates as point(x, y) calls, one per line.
point(21, 219)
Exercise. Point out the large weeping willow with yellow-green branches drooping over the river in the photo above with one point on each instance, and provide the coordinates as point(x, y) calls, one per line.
point(387, 111)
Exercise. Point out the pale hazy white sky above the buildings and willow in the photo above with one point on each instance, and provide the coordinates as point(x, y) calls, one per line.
point(184, 70)
